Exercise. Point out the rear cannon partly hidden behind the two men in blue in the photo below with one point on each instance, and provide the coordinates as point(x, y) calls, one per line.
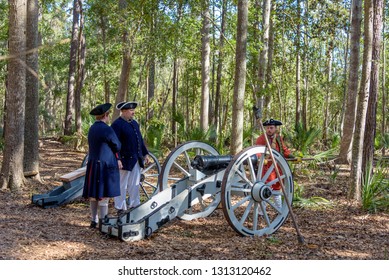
point(73, 183)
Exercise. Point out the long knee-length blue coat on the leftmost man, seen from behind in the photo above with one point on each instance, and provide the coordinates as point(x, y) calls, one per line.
point(102, 177)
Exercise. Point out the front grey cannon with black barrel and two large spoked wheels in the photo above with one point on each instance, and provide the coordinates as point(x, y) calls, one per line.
point(195, 179)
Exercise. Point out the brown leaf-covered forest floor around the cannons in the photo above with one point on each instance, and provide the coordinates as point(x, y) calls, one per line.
point(339, 231)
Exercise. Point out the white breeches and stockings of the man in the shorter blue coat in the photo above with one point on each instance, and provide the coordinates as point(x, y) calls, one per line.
point(129, 183)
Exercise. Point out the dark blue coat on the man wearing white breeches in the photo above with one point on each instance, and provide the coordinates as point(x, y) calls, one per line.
point(133, 147)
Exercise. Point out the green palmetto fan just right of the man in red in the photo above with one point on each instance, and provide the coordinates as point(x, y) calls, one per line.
point(302, 139)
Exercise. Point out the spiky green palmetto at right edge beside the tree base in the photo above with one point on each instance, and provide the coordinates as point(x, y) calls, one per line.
point(375, 191)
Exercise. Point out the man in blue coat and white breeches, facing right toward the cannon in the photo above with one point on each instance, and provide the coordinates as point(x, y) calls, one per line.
point(133, 155)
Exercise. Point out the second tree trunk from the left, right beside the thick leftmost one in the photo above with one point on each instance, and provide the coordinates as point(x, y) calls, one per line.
point(31, 128)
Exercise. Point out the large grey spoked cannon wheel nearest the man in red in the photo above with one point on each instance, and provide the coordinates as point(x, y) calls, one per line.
point(250, 202)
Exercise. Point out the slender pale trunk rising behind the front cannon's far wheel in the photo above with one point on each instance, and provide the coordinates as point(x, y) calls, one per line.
point(205, 67)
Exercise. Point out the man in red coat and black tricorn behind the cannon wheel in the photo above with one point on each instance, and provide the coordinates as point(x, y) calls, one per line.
point(277, 143)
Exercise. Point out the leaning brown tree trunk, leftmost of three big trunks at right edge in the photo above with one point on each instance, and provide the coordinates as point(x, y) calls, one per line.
point(352, 84)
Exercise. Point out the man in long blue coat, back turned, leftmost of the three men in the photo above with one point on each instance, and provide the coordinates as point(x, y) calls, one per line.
point(102, 179)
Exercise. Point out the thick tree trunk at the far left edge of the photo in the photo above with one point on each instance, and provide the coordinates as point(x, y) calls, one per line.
point(12, 166)
